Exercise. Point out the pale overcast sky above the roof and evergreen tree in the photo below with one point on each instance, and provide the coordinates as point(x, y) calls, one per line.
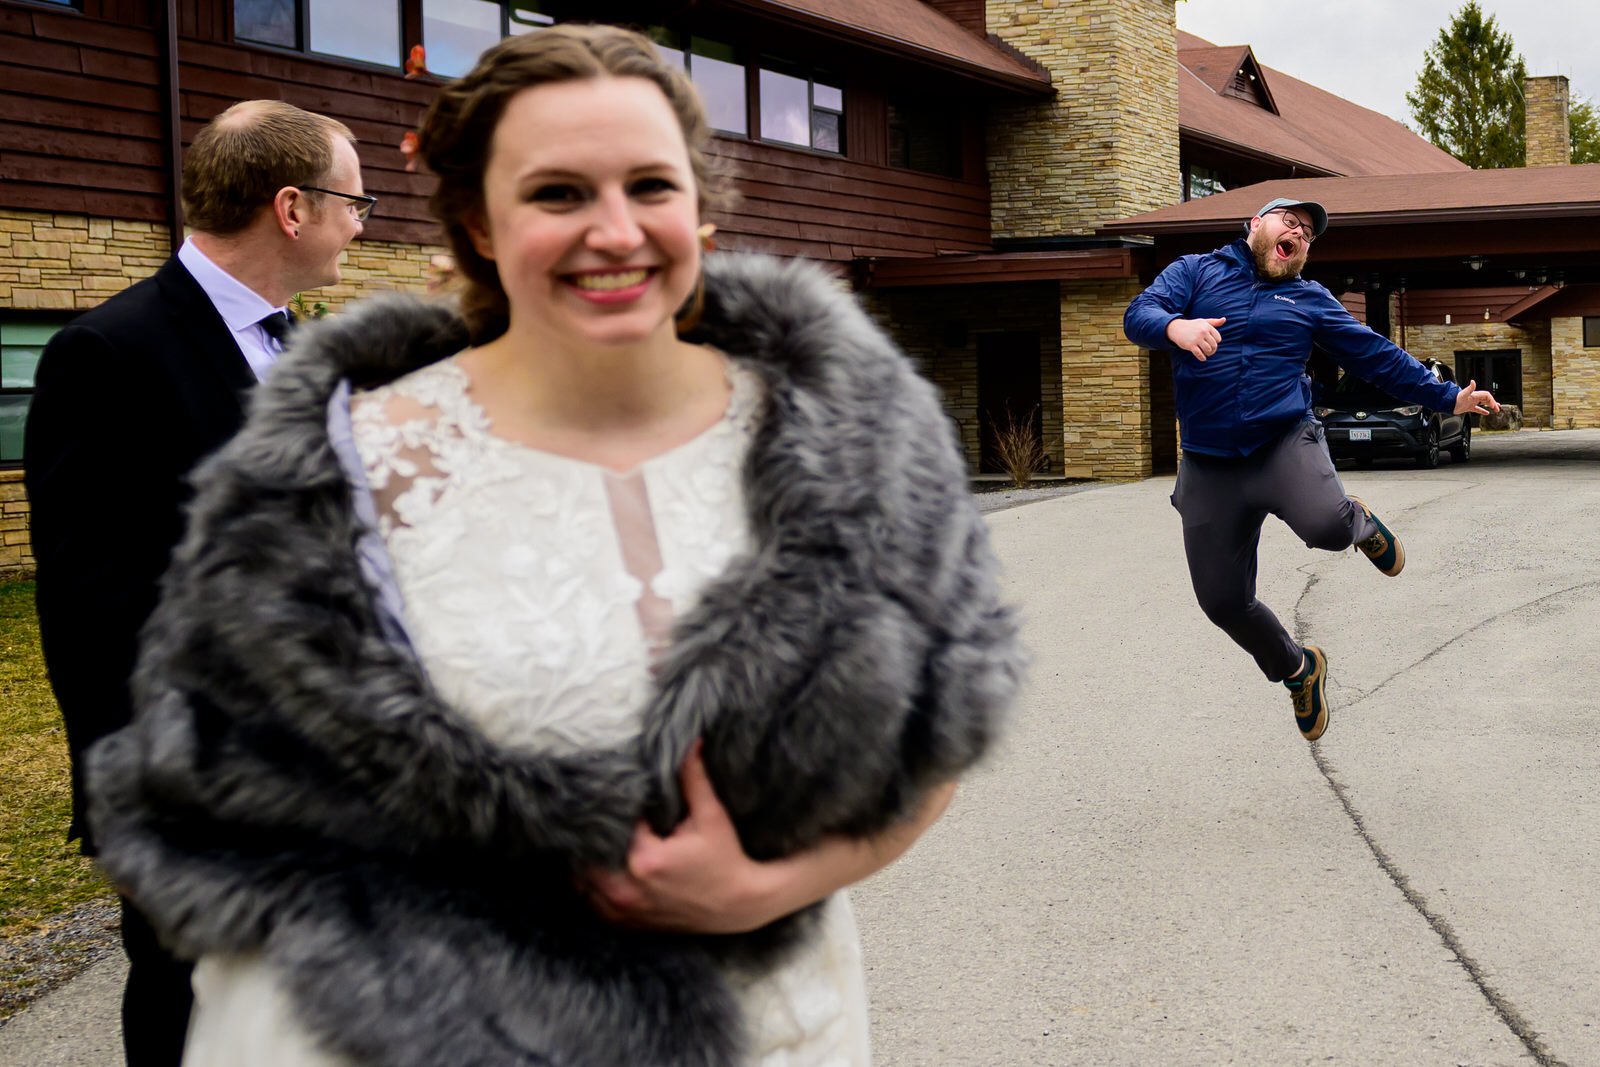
point(1370, 52)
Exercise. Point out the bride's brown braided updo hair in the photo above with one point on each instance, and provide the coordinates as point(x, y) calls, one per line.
point(458, 135)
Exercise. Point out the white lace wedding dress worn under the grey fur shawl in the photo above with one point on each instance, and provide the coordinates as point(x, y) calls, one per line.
point(538, 589)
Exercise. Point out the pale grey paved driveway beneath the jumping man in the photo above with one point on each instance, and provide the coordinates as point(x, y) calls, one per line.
point(1158, 869)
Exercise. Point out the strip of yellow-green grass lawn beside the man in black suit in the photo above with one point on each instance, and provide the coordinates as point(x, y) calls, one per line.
point(44, 882)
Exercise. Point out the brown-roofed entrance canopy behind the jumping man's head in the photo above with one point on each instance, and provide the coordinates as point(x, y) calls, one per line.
point(1463, 230)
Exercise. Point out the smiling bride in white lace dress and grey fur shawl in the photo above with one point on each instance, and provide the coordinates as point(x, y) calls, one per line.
point(535, 679)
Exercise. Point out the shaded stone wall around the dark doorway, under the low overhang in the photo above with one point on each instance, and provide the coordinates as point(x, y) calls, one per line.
point(940, 330)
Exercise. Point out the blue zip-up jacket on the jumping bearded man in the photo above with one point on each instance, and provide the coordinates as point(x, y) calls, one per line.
point(1255, 386)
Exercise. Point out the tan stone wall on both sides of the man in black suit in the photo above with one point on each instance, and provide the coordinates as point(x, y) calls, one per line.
point(73, 263)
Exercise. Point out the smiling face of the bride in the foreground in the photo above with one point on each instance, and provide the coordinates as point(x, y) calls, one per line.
point(591, 212)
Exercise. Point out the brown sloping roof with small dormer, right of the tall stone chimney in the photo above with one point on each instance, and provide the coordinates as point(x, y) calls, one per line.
point(1314, 130)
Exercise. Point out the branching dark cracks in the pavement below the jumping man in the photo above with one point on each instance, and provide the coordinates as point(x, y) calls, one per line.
point(1498, 1002)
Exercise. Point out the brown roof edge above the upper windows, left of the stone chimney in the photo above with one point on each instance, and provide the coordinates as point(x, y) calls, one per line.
point(913, 30)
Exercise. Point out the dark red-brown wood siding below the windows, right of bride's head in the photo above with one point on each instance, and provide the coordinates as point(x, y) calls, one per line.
point(825, 207)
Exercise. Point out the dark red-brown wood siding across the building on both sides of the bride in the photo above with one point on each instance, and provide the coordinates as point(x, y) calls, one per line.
point(82, 130)
